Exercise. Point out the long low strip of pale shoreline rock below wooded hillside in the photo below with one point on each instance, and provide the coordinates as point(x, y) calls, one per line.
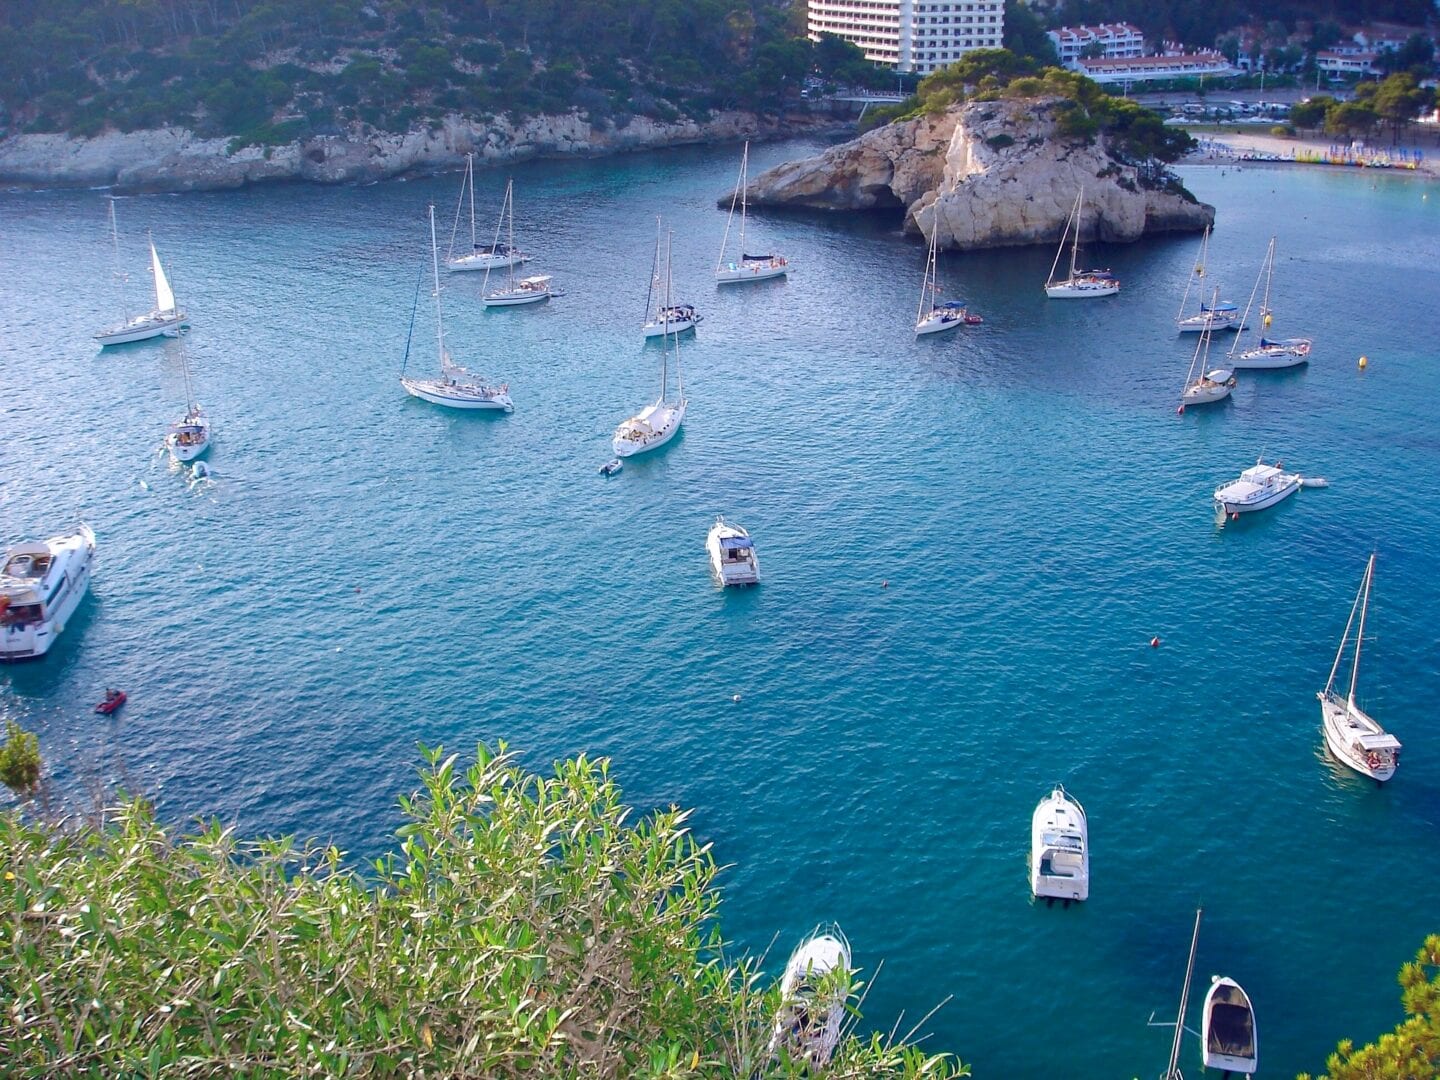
point(178, 161)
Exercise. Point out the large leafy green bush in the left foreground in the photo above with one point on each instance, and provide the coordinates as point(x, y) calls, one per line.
point(523, 930)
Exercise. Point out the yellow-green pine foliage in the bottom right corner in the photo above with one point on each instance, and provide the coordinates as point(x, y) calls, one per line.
point(1412, 1052)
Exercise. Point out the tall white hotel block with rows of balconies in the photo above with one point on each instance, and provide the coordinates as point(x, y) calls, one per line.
point(912, 35)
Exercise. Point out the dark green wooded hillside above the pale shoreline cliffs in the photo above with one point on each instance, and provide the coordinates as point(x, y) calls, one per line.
point(273, 71)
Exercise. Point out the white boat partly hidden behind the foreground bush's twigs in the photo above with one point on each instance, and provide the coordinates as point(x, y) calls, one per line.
point(814, 991)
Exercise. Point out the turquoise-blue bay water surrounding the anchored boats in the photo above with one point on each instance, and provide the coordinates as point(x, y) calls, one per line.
point(967, 544)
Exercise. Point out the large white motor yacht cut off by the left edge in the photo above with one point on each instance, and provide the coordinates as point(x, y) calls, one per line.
point(41, 587)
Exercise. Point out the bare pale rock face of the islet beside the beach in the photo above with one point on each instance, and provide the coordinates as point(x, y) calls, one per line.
point(987, 175)
